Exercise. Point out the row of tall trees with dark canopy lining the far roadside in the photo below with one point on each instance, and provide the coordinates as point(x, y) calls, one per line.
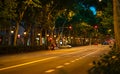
point(46, 16)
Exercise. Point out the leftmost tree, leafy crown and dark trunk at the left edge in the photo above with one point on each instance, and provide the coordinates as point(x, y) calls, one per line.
point(7, 16)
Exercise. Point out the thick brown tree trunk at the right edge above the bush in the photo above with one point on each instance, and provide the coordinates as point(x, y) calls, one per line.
point(116, 12)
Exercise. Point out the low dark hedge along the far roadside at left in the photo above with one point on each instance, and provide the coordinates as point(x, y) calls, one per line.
point(5, 50)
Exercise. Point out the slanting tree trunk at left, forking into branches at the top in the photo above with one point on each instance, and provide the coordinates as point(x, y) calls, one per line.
point(24, 5)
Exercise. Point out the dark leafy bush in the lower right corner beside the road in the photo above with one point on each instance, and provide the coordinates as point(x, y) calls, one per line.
point(108, 64)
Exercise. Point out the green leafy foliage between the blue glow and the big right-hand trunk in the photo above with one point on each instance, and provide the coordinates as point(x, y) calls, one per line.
point(106, 20)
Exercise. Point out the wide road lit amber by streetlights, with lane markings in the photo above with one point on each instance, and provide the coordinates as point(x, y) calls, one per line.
point(76, 60)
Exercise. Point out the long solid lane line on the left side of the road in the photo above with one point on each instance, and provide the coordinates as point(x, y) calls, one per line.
point(27, 63)
